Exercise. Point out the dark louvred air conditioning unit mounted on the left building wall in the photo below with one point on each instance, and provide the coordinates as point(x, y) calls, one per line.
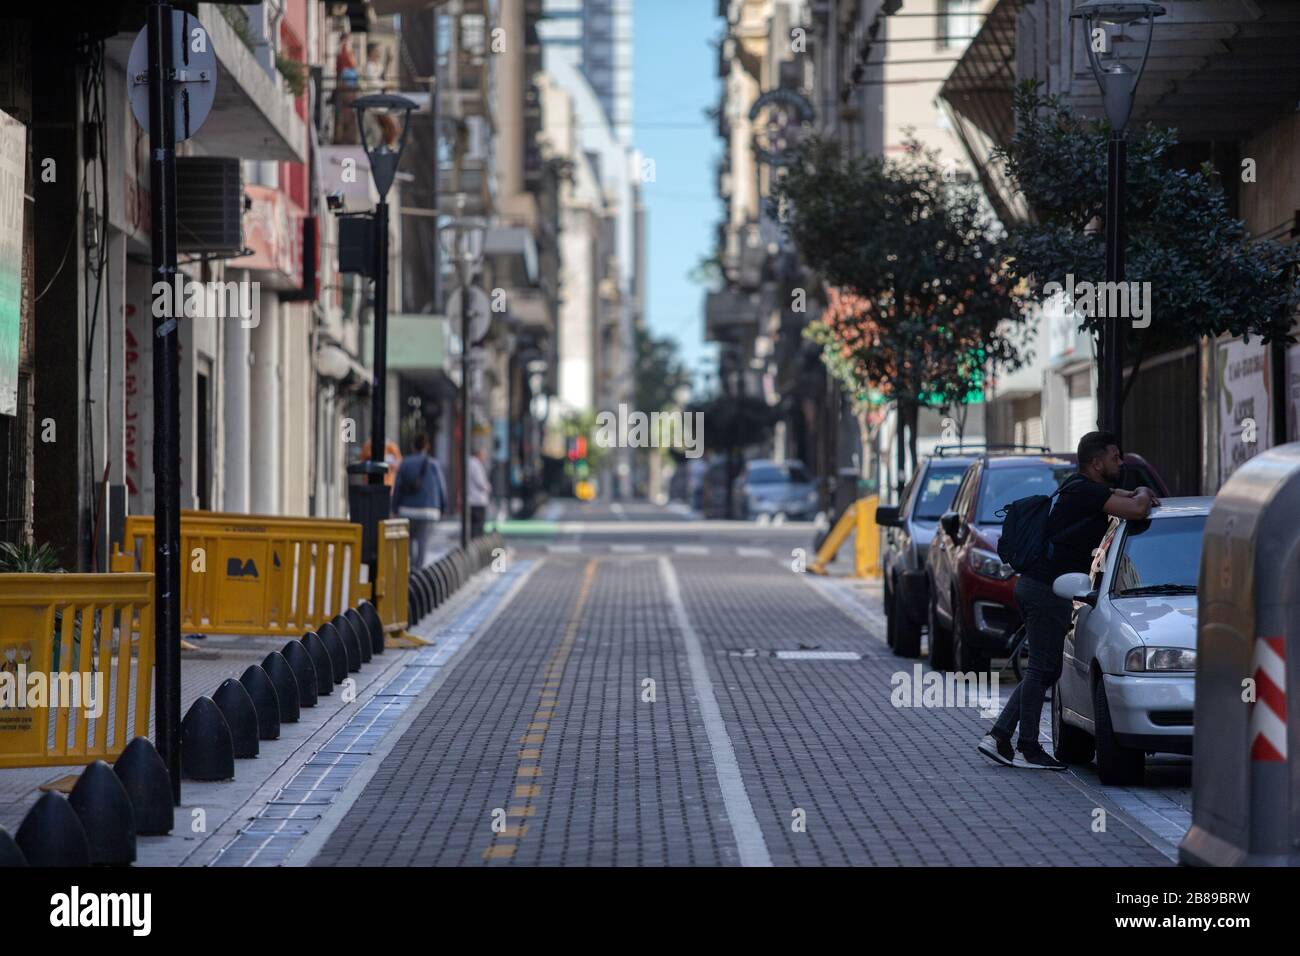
point(210, 206)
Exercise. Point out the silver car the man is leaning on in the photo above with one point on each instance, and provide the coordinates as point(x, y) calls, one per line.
point(1129, 677)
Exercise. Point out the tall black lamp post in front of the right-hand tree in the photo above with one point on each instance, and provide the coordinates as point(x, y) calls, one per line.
point(1106, 23)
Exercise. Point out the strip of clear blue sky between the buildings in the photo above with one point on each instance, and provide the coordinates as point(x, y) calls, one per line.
point(675, 83)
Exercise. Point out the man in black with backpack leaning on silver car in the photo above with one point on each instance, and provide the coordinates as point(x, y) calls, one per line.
point(1074, 527)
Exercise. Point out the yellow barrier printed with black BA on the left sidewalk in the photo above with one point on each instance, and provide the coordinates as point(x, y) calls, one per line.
point(255, 574)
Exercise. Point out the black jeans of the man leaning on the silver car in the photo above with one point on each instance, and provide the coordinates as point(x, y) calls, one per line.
point(1047, 620)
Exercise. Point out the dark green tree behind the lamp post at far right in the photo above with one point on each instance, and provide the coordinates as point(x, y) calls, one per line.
point(1207, 275)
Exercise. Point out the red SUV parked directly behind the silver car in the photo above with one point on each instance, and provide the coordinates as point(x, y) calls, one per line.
point(973, 615)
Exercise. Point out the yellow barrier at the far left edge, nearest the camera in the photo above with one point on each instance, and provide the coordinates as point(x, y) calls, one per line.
point(67, 646)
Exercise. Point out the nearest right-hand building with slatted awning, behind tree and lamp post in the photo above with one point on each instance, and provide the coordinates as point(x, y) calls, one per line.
point(1225, 76)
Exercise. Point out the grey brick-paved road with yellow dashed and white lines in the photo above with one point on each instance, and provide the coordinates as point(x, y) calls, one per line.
point(545, 728)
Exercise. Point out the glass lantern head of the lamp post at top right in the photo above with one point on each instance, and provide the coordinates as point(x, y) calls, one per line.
point(1106, 23)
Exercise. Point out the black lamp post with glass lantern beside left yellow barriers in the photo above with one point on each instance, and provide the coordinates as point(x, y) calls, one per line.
point(371, 505)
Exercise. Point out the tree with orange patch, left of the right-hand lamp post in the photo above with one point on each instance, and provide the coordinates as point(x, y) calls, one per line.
point(921, 305)
